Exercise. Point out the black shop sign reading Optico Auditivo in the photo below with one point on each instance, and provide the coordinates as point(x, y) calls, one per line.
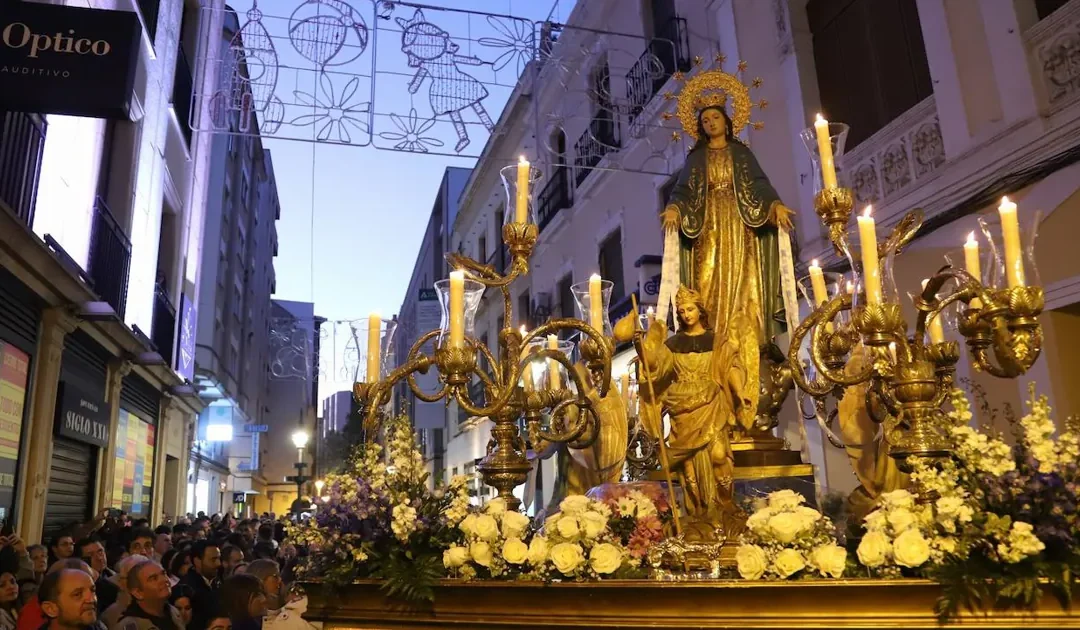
point(67, 60)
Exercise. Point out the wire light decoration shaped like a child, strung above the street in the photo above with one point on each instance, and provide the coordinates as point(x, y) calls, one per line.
point(431, 51)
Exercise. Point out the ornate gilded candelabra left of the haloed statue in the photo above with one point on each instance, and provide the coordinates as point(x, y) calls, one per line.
point(511, 397)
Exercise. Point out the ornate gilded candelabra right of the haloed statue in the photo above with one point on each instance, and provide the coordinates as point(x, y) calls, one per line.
point(909, 379)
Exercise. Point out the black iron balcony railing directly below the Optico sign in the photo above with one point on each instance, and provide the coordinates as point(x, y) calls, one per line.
point(22, 145)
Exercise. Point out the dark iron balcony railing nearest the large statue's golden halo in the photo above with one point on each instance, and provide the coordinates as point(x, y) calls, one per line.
point(668, 53)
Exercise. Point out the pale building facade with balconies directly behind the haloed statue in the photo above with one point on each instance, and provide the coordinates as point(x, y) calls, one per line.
point(951, 105)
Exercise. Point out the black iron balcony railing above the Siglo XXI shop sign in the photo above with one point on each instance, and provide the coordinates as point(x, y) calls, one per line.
point(111, 258)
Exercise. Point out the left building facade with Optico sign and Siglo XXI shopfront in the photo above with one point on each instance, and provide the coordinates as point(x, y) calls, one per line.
point(100, 213)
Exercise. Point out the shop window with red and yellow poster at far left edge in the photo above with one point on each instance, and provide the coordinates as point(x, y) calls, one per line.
point(15, 374)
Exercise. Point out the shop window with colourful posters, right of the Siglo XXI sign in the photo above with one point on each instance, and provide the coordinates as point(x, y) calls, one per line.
point(134, 474)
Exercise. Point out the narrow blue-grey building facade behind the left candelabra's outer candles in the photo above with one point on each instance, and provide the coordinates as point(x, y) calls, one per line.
point(421, 314)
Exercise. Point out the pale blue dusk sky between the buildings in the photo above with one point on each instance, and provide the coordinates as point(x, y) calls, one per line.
point(353, 217)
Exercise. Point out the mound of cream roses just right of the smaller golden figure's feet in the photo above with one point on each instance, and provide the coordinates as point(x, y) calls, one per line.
point(787, 539)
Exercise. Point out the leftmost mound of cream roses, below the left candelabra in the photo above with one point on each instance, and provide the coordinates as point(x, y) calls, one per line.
point(493, 544)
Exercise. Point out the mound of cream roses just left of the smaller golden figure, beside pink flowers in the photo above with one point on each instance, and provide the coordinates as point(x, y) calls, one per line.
point(577, 543)
